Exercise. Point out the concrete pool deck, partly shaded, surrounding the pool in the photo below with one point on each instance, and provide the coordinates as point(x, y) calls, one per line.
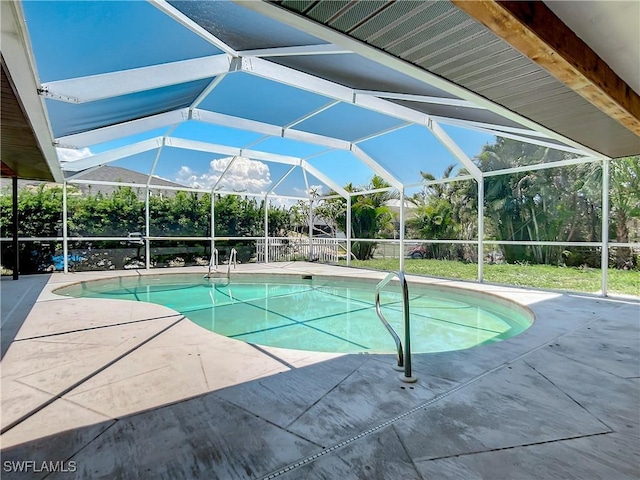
point(117, 389)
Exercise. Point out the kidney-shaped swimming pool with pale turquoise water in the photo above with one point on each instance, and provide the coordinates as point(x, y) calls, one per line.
point(321, 313)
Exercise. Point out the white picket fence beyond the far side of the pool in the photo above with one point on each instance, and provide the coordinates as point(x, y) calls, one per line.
point(286, 249)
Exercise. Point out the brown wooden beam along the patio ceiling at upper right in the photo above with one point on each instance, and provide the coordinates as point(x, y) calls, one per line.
point(534, 30)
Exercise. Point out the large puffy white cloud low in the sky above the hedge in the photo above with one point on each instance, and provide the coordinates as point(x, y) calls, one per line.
point(245, 175)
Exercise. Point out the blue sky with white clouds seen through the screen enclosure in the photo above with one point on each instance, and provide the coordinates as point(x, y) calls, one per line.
point(108, 41)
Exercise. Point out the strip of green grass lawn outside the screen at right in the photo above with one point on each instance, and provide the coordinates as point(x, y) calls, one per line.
point(625, 282)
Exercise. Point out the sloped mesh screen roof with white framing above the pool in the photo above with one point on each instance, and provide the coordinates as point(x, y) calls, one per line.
point(210, 91)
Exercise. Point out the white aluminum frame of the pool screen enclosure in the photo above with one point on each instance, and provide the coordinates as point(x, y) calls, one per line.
point(108, 85)
